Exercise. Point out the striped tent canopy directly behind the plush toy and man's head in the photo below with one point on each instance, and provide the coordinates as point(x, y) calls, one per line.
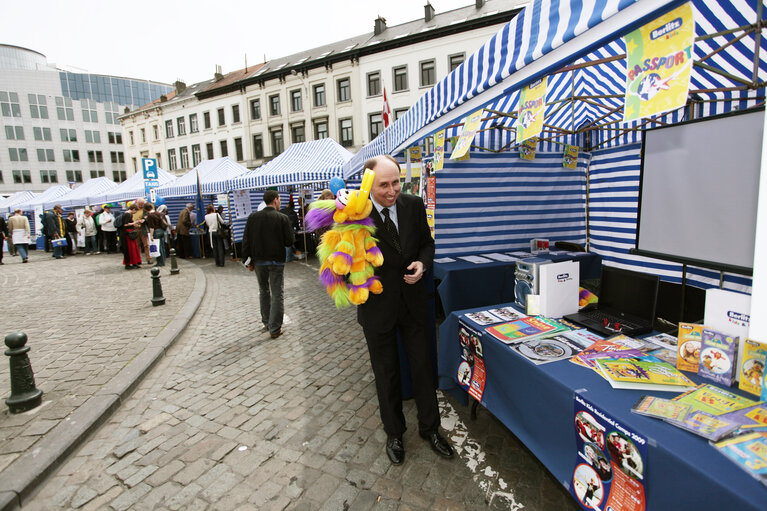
point(302, 163)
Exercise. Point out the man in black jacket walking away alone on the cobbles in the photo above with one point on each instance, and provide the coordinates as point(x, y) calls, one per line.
point(267, 233)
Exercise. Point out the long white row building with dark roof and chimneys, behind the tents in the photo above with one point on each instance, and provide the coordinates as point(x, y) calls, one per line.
point(335, 91)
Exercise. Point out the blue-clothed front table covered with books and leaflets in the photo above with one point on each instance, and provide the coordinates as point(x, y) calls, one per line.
point(536, 404)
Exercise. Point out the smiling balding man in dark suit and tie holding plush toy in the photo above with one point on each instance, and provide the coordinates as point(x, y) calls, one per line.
point(408, 251)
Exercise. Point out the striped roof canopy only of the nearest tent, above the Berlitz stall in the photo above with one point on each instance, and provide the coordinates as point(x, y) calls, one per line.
point(586, 74)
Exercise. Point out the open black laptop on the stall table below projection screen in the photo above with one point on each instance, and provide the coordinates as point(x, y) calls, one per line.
point(627, 302)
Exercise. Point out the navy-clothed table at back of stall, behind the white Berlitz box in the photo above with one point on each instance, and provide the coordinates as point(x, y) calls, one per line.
point(464, 284)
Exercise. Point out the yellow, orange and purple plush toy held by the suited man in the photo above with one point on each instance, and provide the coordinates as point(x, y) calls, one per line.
point(348, 250)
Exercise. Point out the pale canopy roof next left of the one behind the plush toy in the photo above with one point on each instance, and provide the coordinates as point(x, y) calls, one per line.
point(215, 177)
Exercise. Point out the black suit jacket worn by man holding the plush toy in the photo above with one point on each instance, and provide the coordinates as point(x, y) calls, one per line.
point(380, 311)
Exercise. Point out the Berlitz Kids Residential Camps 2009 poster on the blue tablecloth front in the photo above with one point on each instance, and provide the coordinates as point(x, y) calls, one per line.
point(610, 462)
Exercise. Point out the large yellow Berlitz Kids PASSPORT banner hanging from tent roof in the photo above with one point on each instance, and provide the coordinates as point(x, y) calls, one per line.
point(659, 61)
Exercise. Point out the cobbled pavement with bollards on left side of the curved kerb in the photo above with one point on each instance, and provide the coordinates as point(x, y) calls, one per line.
point(85, 318)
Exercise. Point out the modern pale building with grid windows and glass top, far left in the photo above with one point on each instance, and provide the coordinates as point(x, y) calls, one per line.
point(61, 127)
